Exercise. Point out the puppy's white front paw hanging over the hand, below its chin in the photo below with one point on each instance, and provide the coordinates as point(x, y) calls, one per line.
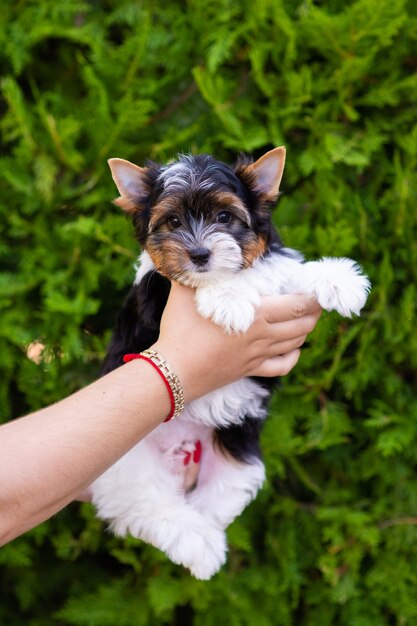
point(234, 311)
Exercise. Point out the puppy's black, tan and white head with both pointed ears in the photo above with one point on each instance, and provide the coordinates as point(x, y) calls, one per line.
point(199, 218)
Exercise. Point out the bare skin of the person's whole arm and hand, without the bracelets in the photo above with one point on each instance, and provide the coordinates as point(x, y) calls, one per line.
point(50, 457)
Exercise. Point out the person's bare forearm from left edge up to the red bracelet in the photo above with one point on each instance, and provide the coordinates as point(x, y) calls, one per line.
point(49, 457)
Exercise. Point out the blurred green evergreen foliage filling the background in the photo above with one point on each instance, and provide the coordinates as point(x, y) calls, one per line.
point(332, 538)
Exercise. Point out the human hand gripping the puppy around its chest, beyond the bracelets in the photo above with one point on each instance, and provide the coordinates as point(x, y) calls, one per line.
point(205, 357)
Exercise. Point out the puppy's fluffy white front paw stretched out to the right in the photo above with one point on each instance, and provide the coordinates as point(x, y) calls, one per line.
point(338, 284)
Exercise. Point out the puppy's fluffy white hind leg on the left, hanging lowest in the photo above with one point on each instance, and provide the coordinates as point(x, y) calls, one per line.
point(139, 496)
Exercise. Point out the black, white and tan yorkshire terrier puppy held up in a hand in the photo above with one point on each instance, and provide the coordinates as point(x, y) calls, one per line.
point(208, 226)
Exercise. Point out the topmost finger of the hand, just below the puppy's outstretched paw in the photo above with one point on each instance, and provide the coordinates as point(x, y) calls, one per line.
point(288, 307)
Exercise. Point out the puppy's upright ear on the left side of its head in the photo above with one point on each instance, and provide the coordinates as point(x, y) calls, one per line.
point(130, 180)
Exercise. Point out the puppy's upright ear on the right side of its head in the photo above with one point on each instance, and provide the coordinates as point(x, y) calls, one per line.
point(267, 173)
